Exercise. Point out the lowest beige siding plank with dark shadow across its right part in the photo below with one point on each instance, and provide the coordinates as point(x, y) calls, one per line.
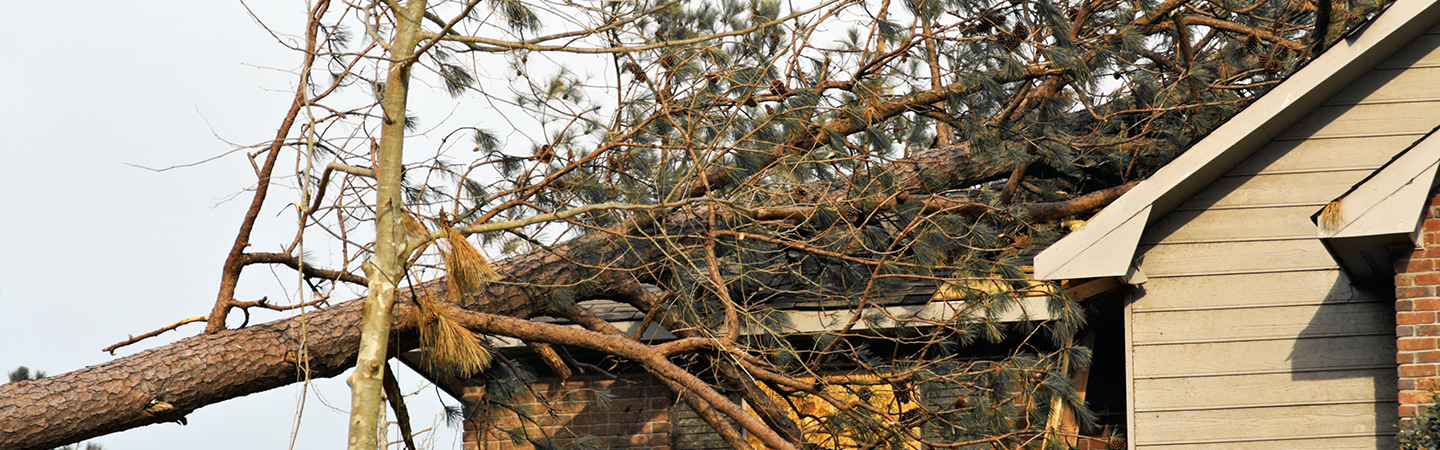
point(1264, 357)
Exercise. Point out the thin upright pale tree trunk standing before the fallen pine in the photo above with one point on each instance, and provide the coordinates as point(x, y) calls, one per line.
point(385, 270)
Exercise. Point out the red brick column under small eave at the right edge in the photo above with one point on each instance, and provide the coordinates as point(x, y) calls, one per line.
point(1418, 304)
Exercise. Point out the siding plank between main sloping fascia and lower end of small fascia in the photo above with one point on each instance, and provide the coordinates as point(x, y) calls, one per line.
point(1287, 190)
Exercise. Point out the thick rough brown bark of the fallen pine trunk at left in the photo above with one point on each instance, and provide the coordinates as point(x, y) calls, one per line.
point(138, 390)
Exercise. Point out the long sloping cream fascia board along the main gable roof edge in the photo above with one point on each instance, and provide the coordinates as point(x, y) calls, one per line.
point(1079, 256)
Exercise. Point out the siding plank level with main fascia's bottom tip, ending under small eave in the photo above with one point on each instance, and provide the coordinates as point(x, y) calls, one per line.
point(1235, 257)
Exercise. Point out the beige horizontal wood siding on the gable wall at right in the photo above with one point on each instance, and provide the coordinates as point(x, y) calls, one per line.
point(1248, 335)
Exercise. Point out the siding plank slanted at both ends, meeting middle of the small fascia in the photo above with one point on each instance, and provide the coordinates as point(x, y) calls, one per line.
point(1321, 155)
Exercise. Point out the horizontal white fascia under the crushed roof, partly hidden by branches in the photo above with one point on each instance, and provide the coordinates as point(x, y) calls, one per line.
point(811, 322)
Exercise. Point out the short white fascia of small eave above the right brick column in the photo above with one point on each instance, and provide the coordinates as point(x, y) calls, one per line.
point(1393, 200)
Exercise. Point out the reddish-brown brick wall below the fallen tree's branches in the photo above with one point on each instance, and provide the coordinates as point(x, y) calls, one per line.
point(639, 418)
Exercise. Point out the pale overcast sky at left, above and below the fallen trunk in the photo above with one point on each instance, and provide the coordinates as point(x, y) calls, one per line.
point(96, 250)
